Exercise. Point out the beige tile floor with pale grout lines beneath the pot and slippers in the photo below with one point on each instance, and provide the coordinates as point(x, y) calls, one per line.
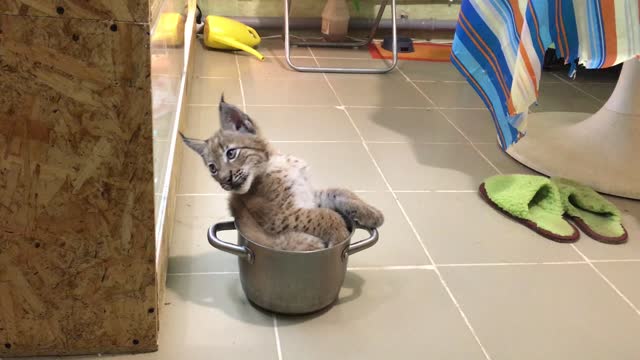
point(450, 278)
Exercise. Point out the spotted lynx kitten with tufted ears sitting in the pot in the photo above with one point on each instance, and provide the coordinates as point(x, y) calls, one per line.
point(271, 196)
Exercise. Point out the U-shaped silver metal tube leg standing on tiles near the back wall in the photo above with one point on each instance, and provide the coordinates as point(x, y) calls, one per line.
point(394, 63)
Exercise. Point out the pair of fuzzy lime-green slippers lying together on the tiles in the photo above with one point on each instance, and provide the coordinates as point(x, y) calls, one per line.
point(546, 206)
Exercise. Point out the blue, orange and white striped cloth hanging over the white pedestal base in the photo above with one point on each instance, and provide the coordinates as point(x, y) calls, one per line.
point(499, 47)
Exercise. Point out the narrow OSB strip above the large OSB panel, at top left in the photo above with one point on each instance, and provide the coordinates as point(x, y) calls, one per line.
point(120, 10)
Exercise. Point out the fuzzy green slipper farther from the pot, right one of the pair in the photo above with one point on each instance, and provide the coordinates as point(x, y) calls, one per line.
point(592, 213)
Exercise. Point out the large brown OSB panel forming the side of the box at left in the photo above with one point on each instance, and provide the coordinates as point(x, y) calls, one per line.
point(77, 249)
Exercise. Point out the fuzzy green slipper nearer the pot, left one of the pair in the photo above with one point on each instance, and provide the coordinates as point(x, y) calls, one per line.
point(533, 201)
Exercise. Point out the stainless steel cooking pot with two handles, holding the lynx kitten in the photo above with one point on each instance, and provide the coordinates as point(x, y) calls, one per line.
point(290, 282)
